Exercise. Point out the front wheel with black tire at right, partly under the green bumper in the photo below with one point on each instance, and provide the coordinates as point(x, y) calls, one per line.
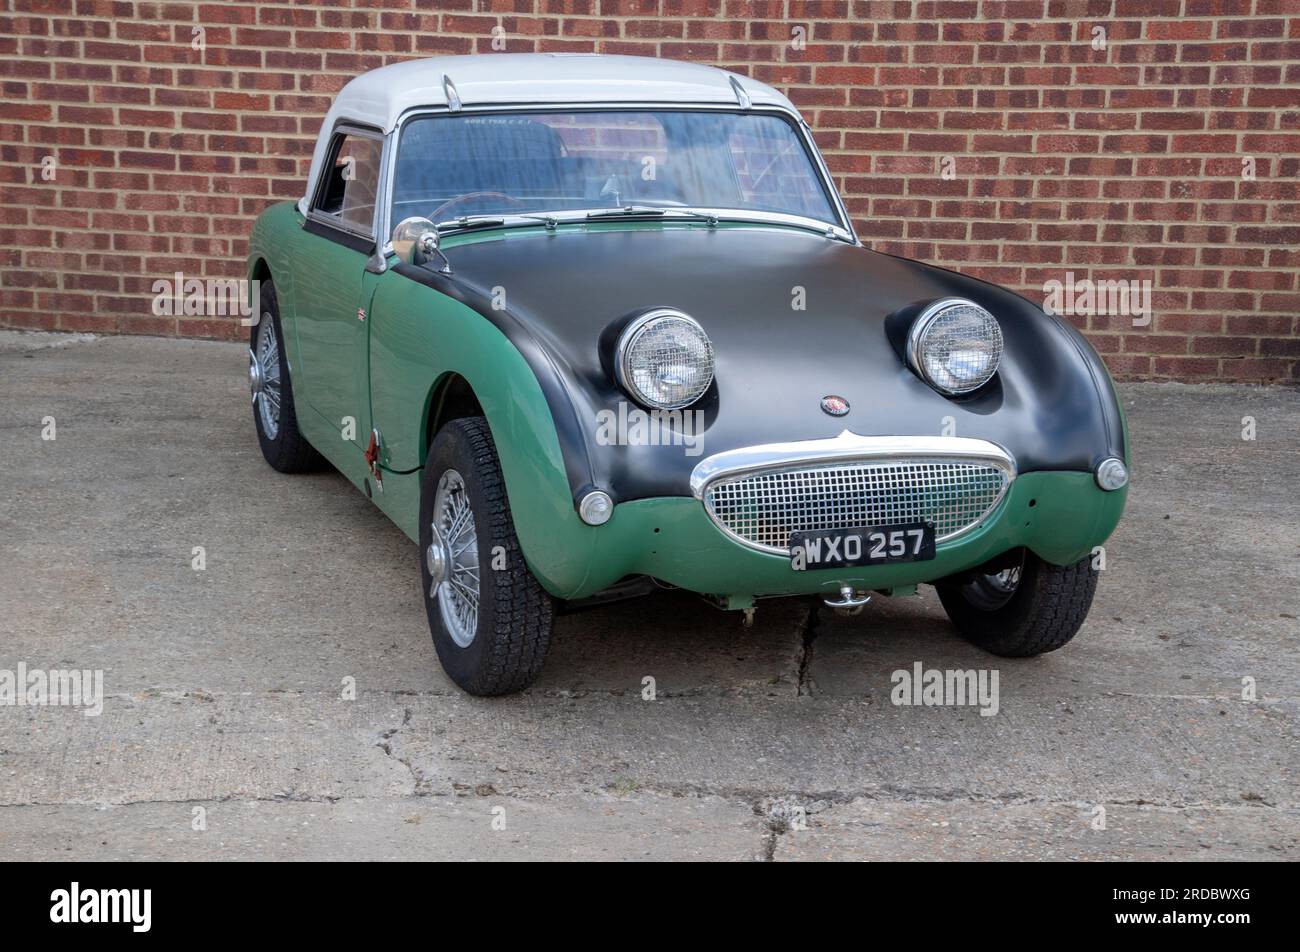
point(1046, 609)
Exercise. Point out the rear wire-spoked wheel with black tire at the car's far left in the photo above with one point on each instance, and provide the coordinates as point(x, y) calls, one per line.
point(274, 412)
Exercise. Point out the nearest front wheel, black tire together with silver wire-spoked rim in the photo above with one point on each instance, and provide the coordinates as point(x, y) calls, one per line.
point(491, 620)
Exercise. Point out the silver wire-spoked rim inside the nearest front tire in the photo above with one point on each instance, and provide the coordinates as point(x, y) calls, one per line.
point(453, 560)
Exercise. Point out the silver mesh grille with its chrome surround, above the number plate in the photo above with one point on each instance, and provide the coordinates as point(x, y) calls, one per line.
point(761, 495)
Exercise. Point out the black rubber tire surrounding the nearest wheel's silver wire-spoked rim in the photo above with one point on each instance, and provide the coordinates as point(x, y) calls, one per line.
point(515, 613)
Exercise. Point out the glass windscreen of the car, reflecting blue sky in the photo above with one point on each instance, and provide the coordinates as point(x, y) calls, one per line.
point(449, 167)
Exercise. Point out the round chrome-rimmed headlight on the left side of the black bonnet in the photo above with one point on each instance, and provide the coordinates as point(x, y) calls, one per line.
point(665, 361)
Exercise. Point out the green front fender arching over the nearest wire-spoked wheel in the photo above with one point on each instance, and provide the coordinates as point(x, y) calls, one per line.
point(418, 339)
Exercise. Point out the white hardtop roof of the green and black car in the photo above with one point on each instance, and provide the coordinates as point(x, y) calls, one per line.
point(382, 97)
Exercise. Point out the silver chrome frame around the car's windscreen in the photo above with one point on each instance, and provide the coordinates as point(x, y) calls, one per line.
point(843, 230)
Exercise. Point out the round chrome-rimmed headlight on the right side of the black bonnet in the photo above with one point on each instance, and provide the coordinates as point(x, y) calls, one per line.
point(956, 347)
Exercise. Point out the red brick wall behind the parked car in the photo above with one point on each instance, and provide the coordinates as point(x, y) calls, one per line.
point(1117, 163)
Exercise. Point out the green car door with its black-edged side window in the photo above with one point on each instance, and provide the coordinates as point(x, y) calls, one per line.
point(332, 308)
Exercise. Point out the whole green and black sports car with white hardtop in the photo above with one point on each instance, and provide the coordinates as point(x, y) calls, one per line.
point(587, 326)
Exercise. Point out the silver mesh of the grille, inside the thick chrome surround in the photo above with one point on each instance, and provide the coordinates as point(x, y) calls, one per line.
point(765, 508)
